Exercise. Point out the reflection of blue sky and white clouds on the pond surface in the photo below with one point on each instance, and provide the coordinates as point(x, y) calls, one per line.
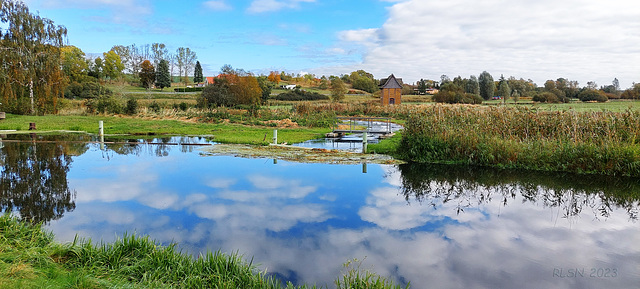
point(302, 230)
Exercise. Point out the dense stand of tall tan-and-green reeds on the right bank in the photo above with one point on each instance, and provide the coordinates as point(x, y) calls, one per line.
point(601, 142)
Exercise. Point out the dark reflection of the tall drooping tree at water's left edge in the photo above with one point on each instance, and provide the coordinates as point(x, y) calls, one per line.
point(33, 181)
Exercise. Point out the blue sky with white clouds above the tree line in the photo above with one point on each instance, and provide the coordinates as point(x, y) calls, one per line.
point(582, 40)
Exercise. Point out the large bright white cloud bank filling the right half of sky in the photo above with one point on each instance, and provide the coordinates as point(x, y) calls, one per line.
point(586, 40)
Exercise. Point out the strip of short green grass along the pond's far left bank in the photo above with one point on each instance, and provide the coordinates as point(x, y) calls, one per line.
point(221, 132)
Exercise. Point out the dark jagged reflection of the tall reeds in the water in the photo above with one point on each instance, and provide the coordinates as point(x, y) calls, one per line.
point(472, 186)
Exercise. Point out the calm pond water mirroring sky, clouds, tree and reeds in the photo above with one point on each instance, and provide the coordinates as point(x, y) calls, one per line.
point(433, 226)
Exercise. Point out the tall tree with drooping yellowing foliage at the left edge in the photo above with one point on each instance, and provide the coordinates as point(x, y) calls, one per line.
point(31, 79)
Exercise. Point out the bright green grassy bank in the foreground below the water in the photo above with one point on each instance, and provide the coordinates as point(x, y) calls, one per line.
point(29, 258)
